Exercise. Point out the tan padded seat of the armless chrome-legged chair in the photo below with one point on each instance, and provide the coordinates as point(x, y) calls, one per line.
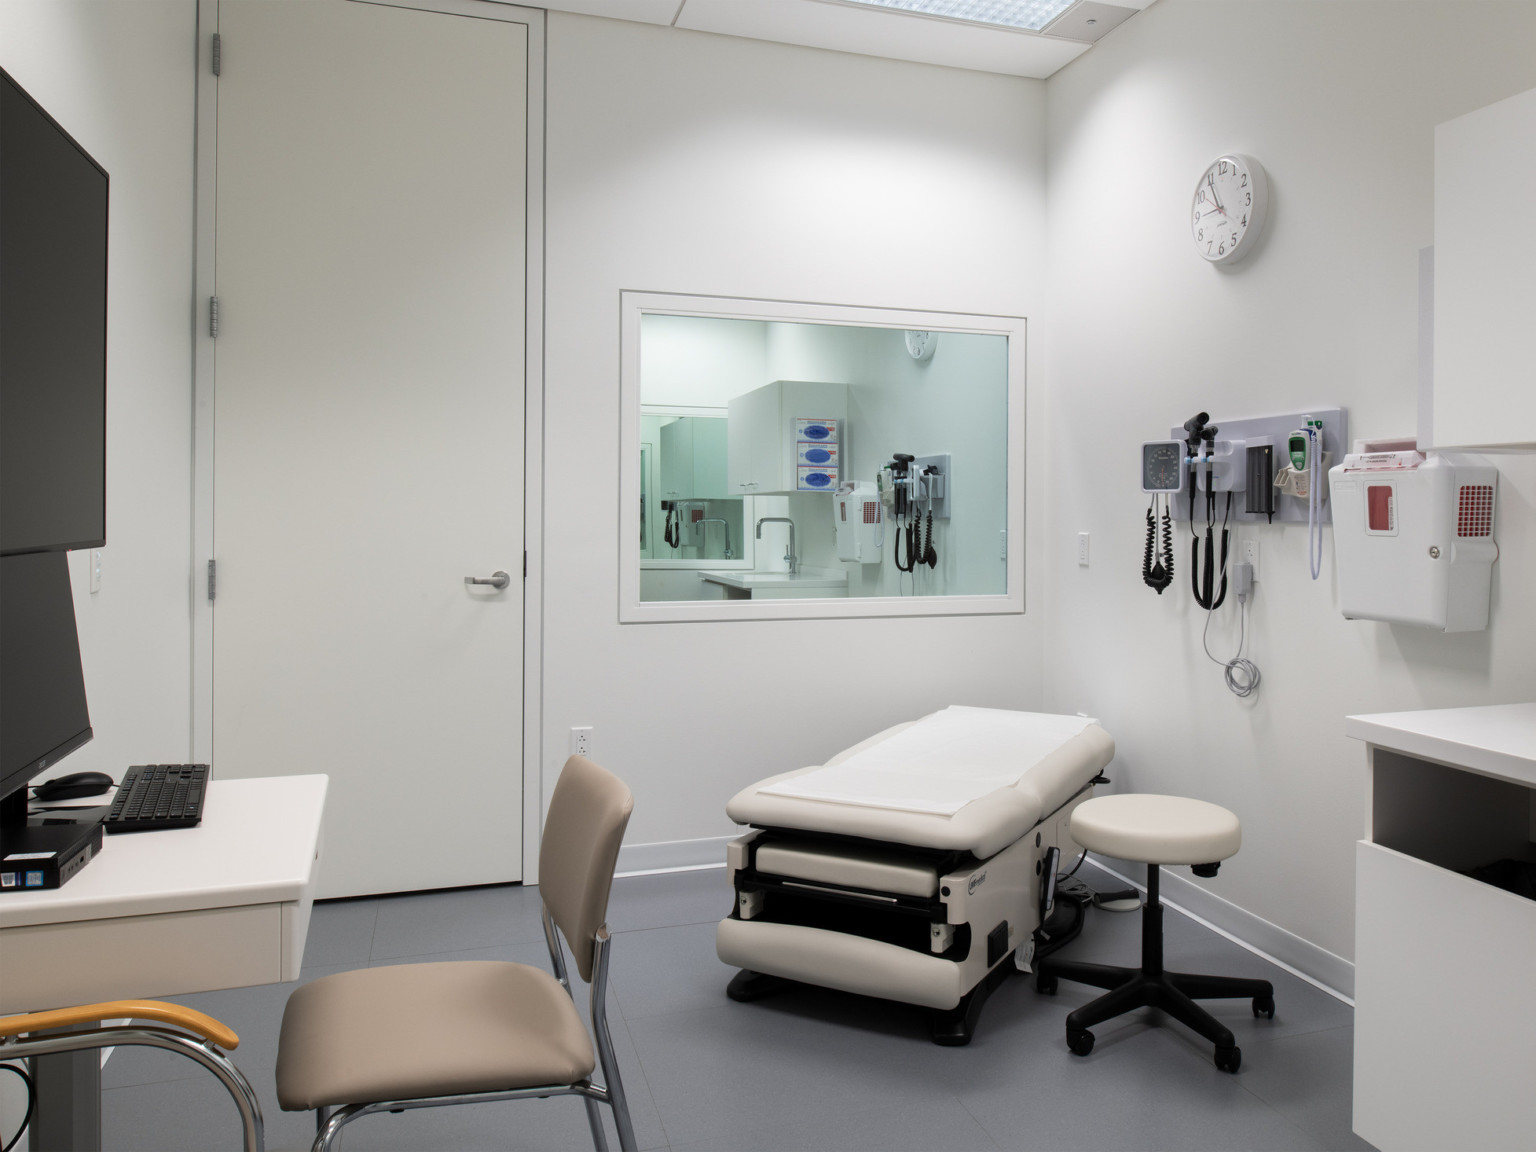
point(411, 1031)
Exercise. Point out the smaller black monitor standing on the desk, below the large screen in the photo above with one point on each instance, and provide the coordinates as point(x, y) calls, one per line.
point(44, 713)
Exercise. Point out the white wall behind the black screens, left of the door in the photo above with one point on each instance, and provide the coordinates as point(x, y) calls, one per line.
point(121, 79)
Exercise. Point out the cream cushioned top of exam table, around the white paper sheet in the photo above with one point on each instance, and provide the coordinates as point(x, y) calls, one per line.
point(982, 826)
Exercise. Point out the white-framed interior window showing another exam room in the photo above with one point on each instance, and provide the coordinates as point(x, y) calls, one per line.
point(816, 462)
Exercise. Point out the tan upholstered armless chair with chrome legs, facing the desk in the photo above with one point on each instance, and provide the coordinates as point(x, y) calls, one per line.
point(463, 1033)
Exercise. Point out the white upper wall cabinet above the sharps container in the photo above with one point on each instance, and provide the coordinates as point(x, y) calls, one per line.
point(1485, 386)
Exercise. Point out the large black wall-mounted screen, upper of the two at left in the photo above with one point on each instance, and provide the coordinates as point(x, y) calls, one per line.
point(53, 334)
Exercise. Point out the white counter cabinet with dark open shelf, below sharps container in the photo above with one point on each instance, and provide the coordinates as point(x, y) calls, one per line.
point(1445, 1002)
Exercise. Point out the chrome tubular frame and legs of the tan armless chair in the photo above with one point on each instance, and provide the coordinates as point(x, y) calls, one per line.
point(329, 1125)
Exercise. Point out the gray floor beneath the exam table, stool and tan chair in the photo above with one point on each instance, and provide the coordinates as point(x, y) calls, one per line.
point(809, 1070)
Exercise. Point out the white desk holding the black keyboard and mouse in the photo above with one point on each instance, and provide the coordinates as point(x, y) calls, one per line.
point(185, 910)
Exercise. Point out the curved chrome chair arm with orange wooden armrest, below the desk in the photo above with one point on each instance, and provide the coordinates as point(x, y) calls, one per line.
point(196, 1036)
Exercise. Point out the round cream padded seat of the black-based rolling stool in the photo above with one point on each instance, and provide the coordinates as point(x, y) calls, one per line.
point(1160, 830)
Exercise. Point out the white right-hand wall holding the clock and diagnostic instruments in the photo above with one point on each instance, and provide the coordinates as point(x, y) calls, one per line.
point(1340, 104)
